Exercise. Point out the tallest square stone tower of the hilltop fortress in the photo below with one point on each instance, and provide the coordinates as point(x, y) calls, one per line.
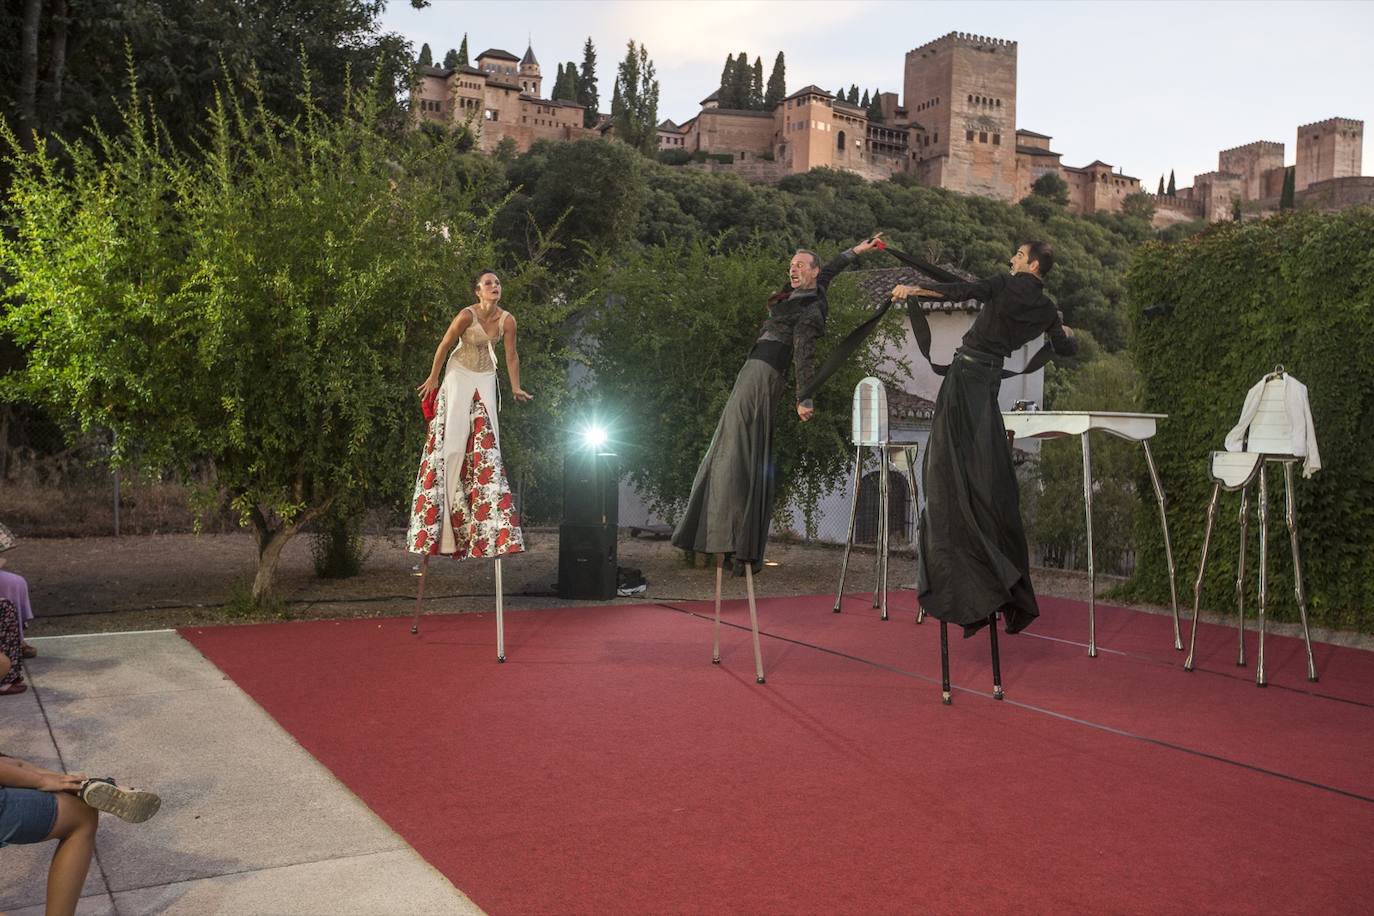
point(962, 90)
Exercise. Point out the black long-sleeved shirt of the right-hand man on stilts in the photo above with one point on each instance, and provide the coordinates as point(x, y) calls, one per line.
point(1016, 311)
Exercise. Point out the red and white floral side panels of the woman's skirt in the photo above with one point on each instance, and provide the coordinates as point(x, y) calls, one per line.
point(484, 517)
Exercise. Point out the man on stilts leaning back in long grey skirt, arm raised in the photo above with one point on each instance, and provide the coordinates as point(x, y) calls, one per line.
point(732, 498)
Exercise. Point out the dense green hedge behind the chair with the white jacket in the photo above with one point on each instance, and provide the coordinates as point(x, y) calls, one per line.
point(1299, 290)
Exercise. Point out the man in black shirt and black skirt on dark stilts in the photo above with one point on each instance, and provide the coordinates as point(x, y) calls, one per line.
point(973, 560)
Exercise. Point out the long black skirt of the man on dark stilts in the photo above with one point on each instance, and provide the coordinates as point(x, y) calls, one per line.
point(973, 546)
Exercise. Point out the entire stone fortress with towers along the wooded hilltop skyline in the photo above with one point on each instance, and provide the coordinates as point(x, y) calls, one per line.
point(956, 127)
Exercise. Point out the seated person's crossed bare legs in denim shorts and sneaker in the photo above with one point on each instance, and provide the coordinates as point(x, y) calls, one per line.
point(38, 805)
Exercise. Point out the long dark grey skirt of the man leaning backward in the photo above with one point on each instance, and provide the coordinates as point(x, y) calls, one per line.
point(730, 507)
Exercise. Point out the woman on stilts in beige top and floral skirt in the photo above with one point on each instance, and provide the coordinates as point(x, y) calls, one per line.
point(464, 505)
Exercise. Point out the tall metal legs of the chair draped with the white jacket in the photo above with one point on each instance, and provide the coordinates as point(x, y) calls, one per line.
point(1263, 510)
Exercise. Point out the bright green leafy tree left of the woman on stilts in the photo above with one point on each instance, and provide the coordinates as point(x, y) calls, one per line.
point(212, 295)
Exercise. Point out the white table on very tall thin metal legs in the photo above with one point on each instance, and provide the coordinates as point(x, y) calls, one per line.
point(1138, 428)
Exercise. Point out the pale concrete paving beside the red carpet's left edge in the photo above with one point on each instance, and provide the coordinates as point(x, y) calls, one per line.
point(249, 825)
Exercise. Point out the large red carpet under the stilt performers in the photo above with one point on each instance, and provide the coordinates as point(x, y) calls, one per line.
point(609, 768)
